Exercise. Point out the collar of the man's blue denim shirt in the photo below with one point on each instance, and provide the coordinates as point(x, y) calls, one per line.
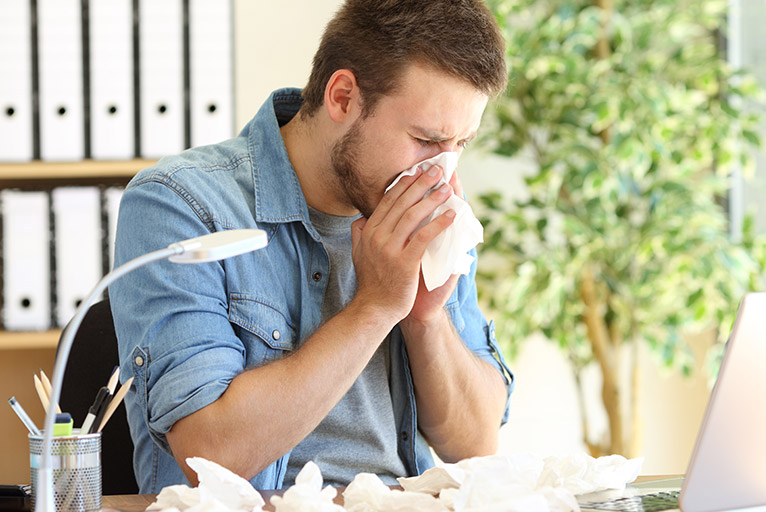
point(278, 194)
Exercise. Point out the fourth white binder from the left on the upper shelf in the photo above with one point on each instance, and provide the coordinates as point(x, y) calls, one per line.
point(161, 63)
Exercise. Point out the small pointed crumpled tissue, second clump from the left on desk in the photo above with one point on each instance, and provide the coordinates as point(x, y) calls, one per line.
point(307, 494)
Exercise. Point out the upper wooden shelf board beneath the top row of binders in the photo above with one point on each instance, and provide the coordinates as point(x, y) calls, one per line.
point(39, 170)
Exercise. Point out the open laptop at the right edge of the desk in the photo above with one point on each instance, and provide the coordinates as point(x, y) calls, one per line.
point(727, 470)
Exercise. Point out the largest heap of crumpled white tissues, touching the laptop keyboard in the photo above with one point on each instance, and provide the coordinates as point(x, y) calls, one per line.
point(524, 482)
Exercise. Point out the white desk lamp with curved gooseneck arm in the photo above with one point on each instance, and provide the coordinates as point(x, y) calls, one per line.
point(211, 247)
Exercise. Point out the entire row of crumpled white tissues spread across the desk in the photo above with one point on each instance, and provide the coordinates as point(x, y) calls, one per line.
point(523, 483)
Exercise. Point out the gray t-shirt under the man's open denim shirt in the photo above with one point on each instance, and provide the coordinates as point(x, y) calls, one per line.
point(359, 433)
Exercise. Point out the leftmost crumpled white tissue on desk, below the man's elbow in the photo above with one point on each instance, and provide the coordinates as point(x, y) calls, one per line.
point(219, 490)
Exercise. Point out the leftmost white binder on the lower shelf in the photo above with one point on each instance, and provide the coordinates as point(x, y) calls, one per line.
point(26, 260)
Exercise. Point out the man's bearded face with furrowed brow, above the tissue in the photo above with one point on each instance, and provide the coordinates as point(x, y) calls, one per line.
point(431, 113)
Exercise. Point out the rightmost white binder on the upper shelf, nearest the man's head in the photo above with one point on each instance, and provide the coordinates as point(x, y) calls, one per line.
point(210, 70)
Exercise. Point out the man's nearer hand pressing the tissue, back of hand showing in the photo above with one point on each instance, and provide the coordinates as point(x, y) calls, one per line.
point(387, 255)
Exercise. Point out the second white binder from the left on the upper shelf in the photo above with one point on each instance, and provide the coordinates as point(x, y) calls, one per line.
point(59, 25)
